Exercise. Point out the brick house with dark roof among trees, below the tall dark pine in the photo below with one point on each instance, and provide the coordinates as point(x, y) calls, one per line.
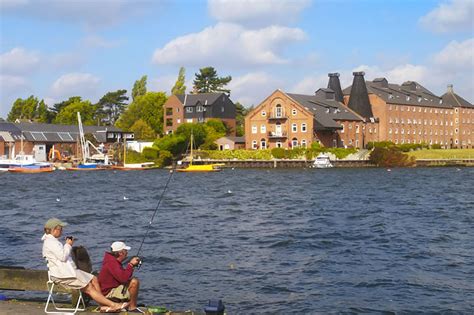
point(198, 108)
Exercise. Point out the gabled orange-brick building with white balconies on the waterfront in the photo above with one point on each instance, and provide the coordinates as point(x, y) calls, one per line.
point(287, 120)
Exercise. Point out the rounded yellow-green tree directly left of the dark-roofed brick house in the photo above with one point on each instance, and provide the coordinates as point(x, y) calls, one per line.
point(149, 108)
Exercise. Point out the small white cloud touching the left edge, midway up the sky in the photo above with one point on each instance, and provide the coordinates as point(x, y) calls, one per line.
point(19, 61)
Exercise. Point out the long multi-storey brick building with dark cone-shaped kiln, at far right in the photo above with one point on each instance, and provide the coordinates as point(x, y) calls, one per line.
point(409, 113)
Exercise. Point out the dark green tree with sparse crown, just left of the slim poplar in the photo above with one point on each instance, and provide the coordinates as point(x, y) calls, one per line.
point(111, 106)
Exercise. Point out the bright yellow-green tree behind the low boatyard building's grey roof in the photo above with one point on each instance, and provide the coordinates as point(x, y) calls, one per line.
point(68, 114)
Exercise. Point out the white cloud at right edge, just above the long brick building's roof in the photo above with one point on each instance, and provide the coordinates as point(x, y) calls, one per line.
point(456, 55)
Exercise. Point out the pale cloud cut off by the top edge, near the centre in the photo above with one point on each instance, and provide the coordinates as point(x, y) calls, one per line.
point(257, 12)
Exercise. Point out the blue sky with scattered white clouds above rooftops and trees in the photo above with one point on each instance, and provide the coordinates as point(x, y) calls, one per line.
point(55, 49)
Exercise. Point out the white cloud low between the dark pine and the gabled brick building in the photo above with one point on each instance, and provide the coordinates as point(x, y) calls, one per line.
point(252, 88)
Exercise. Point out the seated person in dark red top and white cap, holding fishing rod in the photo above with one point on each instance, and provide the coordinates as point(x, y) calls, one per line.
point(115, 280)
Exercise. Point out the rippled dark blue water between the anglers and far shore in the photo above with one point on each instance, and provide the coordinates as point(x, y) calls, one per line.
point(266, 241)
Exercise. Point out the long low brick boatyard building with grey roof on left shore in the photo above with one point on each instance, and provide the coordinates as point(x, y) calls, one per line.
point(38, 139)
